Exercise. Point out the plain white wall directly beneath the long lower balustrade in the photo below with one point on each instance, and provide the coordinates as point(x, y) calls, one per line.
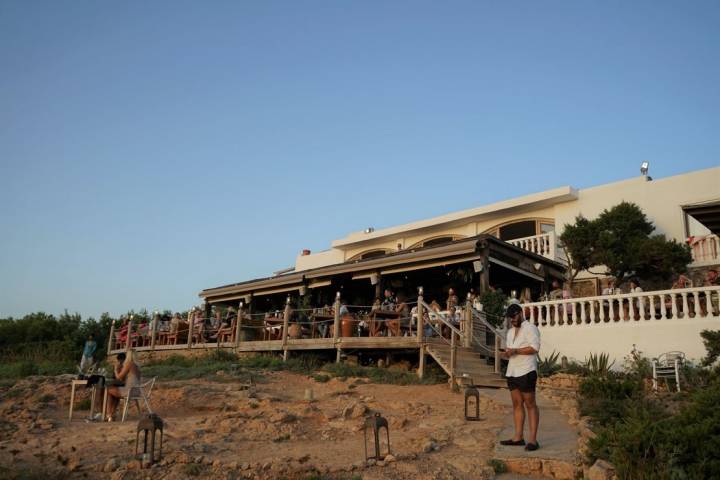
point(651, 337)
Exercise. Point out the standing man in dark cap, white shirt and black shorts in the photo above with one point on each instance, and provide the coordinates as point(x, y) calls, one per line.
point(523, 344)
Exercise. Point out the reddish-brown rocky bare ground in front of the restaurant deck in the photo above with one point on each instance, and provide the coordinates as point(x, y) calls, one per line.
point(223, 430)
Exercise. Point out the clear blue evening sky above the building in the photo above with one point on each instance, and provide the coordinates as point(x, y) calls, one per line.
point(149, 150)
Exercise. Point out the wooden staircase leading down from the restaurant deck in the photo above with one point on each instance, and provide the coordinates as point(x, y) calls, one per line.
point(467, 361)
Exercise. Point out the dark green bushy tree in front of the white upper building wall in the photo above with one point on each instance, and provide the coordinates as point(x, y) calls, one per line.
point(621, 239)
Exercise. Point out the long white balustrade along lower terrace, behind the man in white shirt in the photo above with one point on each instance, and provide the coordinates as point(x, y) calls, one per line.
point(686, 303)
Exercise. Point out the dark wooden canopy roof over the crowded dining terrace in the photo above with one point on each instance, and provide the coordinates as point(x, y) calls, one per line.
point(476, 262)
